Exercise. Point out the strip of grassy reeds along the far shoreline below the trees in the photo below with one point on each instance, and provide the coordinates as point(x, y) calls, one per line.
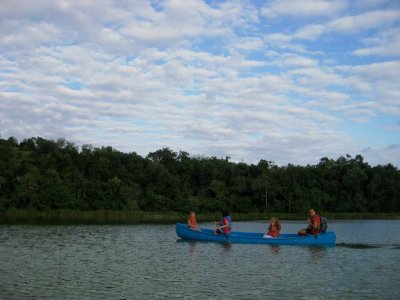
point(15, 216)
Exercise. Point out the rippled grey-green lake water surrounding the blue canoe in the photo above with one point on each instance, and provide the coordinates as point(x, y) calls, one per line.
point(150, 262)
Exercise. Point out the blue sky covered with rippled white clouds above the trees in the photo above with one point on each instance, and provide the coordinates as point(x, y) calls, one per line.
point(286, 81)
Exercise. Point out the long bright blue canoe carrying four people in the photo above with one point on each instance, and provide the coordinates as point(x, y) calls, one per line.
point(323, 239)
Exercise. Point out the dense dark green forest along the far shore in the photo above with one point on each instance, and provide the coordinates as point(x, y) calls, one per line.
point(43, 174)
